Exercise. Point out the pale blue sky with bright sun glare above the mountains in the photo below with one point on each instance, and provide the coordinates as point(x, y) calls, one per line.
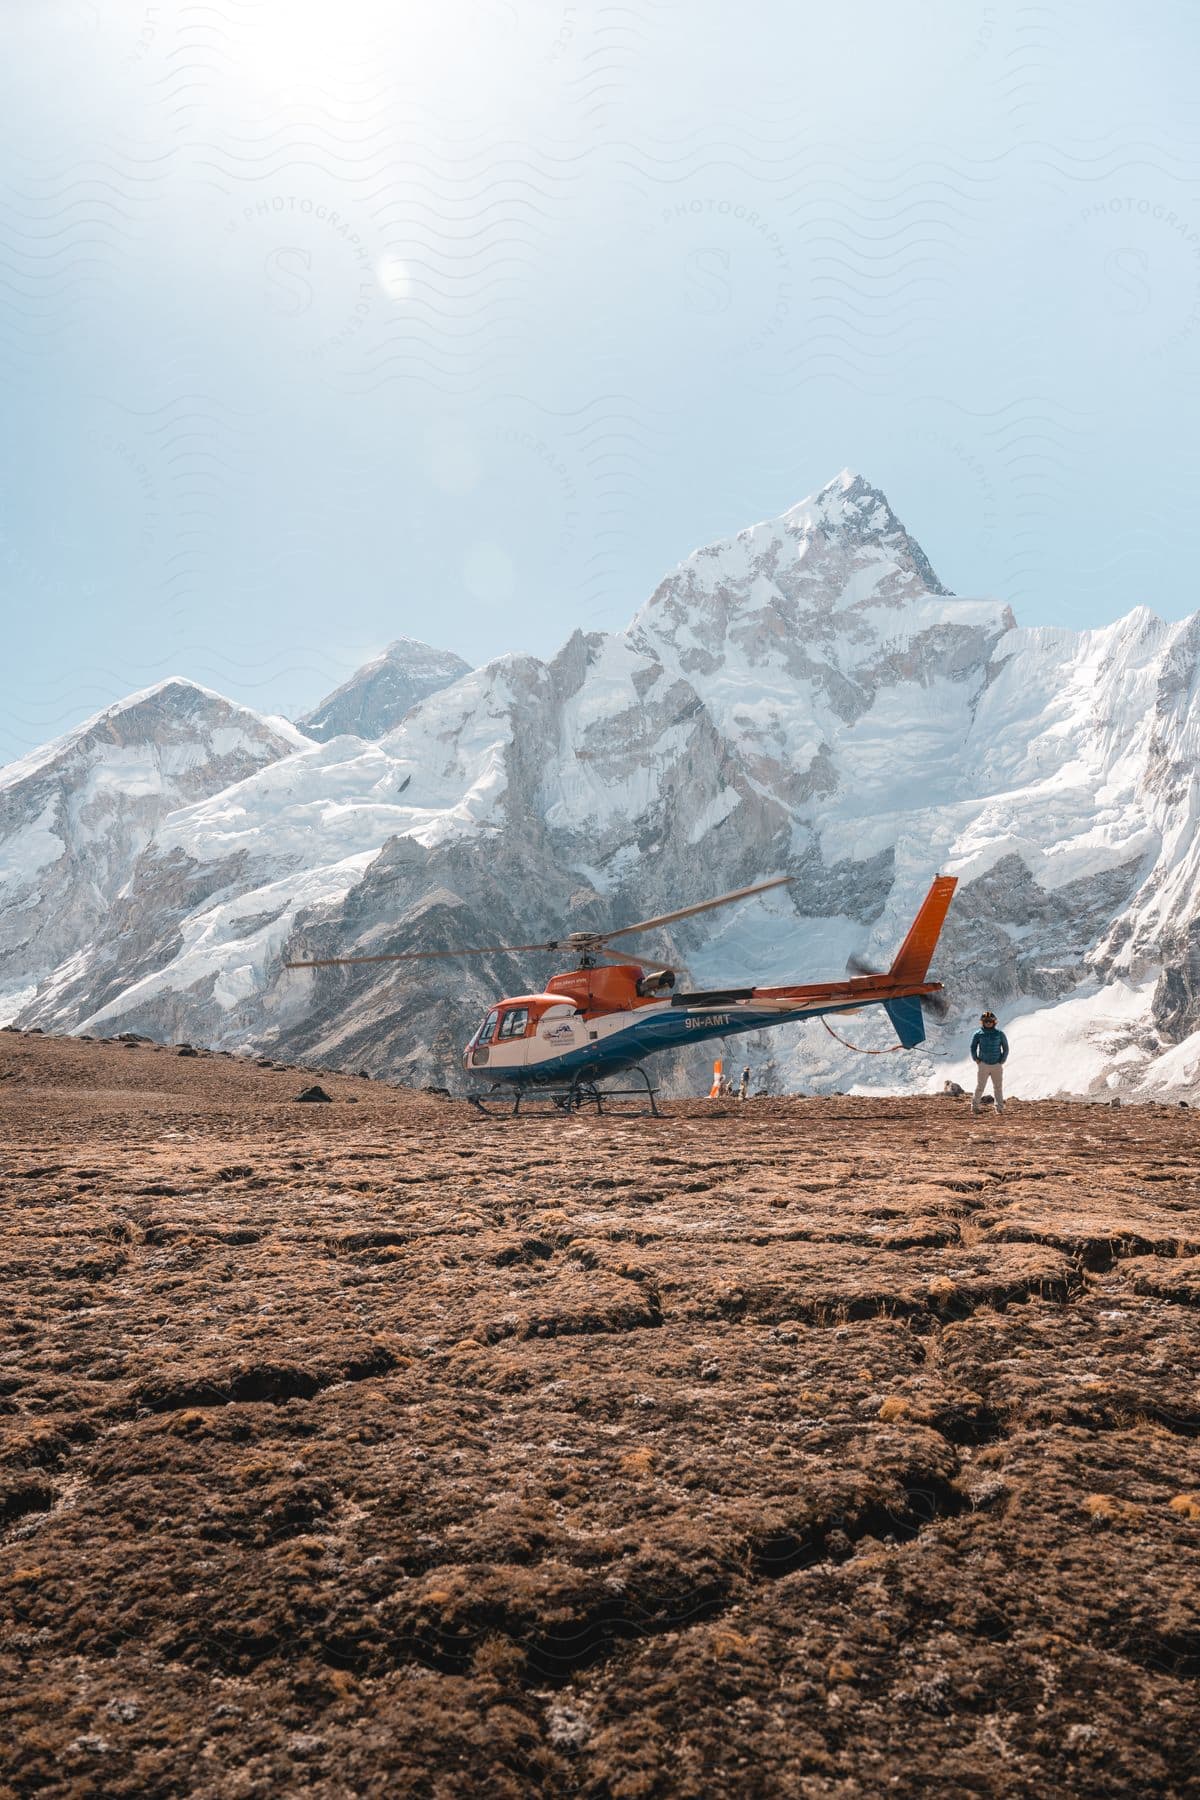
point(327, 323)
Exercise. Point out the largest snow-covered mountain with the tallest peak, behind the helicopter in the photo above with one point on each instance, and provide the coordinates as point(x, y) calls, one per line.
point(800, 699)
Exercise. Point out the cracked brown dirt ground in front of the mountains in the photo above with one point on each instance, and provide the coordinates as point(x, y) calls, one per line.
point(823, 1448)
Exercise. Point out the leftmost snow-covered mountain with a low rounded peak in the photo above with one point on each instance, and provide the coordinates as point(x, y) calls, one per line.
point(76, 814)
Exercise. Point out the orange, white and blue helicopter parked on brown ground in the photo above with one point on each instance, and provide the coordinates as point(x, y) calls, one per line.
point(605, 1016)
